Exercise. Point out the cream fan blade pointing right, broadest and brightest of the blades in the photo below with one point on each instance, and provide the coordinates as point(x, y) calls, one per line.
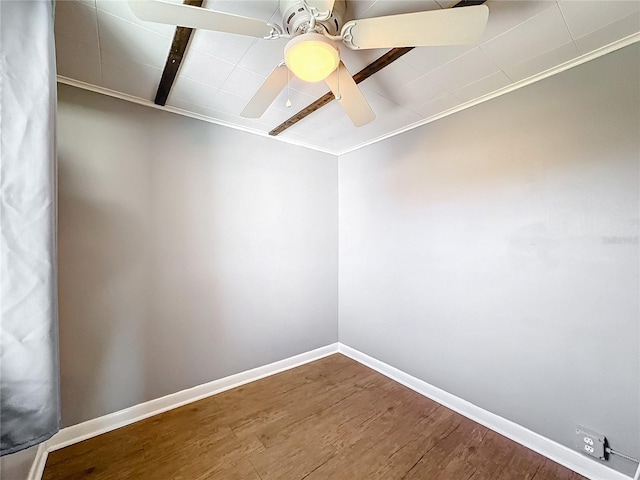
point(453, 26)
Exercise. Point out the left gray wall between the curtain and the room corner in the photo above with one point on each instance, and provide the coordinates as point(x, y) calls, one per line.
point(187, 252)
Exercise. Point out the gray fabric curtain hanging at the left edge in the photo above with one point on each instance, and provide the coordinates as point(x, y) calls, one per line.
point(29, 383)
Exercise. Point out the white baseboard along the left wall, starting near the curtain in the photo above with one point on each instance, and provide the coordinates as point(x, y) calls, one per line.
point(97, 426)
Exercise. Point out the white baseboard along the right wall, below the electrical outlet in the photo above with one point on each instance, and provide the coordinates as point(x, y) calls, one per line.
point(548, 448)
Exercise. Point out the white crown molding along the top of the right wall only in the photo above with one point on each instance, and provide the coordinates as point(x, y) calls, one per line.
point(612, 47)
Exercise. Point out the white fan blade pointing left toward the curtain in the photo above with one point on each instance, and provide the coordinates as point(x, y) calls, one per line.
point(196, 17)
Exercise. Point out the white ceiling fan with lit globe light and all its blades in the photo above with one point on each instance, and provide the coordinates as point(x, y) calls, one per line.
point(314, 27)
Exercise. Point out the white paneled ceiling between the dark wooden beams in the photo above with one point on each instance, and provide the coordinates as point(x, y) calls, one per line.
point(101, 45)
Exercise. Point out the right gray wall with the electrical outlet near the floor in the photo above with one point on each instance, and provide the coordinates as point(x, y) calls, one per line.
point(494, 253)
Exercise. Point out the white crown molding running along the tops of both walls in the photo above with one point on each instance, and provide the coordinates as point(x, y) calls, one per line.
point(617, 45)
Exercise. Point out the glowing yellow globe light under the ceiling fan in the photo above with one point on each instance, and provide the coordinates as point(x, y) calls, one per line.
point(311, 57)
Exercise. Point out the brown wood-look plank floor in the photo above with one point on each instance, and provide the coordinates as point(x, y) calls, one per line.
point(330, 419)
